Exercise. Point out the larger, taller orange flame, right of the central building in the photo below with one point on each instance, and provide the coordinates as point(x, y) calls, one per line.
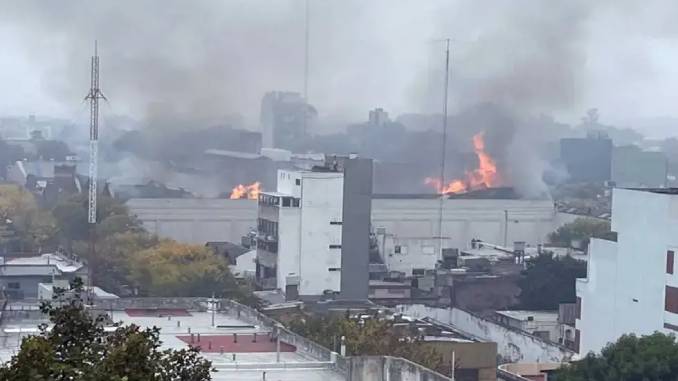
point(484, 176)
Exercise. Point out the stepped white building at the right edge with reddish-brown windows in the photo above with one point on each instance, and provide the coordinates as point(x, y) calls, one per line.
point(631, 286)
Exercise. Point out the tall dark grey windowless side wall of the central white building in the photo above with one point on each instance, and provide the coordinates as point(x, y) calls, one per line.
point(355, 232)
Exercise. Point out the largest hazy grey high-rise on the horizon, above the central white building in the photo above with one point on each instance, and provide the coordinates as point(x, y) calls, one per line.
point(285, 119)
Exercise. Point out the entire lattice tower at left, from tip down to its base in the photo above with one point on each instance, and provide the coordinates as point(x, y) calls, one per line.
point(93, 97)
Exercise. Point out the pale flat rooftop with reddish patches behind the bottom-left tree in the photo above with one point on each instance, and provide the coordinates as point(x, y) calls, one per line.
point(238, 349)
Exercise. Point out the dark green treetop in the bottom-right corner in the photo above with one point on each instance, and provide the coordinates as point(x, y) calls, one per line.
point(631, 358)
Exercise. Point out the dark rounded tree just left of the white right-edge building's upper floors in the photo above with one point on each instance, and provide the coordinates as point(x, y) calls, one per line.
point(549, 281)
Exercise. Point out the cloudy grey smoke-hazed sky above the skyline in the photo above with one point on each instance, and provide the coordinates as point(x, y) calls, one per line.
point(211, 59)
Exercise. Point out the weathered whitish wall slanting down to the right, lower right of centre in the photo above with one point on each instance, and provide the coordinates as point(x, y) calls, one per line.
point(512, 344)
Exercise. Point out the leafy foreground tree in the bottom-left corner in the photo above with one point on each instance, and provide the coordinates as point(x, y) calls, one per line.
point(77, 348)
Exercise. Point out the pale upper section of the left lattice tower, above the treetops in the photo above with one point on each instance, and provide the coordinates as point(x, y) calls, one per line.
point(93, 97)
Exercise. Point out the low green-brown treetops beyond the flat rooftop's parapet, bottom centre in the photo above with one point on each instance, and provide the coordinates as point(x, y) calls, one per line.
point(371, 337)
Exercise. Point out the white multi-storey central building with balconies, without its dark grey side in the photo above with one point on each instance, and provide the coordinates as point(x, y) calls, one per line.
point(299, 233)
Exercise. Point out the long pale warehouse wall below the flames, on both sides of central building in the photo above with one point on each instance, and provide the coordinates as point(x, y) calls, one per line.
point(202, 220)
